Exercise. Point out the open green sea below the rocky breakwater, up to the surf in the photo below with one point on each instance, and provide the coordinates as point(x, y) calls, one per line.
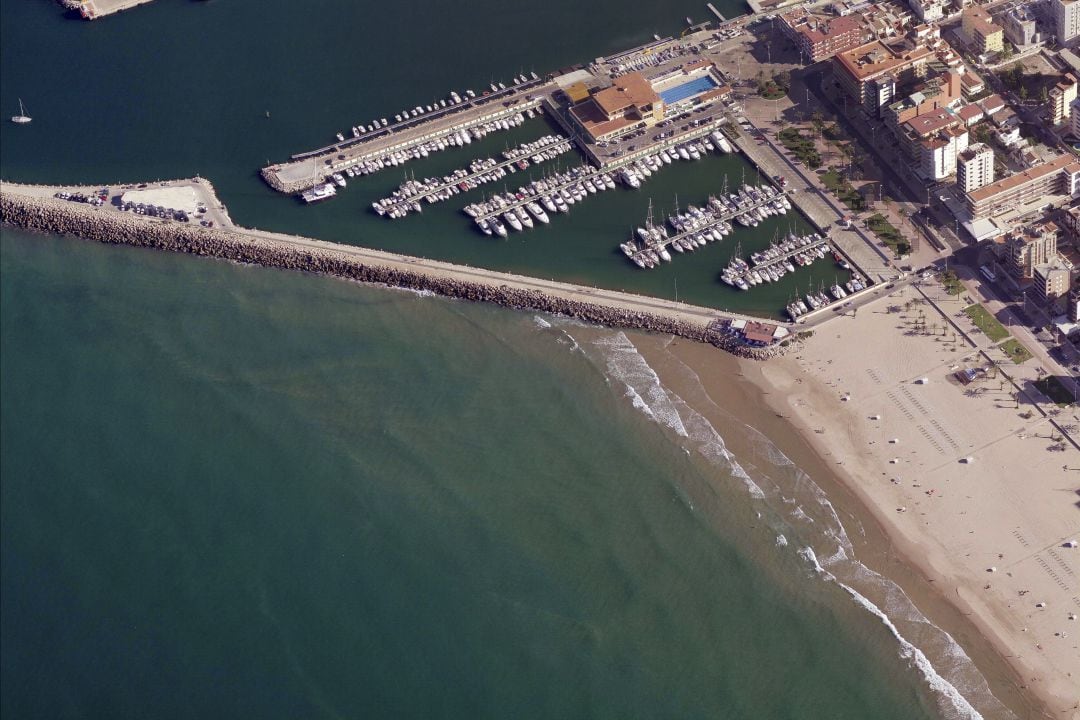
point(231, 492)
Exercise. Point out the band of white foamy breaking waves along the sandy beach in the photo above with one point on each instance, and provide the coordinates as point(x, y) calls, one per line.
point(804, 511)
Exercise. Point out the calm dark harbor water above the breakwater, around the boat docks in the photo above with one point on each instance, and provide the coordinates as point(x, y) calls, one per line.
point(181, 88)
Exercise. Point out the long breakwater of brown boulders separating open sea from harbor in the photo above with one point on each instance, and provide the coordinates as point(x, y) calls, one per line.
point(61, 218)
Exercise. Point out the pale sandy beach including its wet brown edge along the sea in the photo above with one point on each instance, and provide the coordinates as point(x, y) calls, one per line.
point(975, 499)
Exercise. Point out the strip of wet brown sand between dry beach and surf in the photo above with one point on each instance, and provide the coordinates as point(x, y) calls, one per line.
point(879, 546)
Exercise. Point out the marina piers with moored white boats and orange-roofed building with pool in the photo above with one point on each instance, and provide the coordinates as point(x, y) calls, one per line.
point(630, 116)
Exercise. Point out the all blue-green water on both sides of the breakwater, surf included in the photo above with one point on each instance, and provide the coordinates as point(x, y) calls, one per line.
point(228, 492)
